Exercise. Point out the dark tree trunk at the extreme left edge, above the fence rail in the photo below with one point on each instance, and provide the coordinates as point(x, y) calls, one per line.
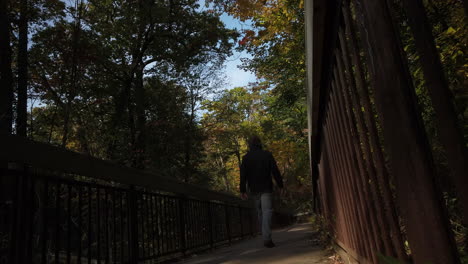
point(6, 74)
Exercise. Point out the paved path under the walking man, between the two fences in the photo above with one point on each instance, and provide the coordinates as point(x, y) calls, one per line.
point(294, 245)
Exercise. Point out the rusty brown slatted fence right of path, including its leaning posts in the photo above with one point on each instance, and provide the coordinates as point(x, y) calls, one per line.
point(373, 171)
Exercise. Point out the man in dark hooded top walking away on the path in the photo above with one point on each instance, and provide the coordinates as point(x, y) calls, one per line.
point(257, 167)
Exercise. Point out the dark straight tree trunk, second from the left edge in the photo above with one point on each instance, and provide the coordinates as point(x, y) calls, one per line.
point(21, 111)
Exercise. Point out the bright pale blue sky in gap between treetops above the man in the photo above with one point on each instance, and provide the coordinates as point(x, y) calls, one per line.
point(236, 77)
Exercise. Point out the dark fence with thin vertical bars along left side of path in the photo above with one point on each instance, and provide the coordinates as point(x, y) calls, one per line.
point(65, 208)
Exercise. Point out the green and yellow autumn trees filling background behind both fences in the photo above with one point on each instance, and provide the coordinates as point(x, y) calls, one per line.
point(141, 82)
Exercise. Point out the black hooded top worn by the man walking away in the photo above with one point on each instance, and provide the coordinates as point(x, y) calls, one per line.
point(257, 167)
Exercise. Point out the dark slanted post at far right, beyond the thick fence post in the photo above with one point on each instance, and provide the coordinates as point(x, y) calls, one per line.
point(449, 132)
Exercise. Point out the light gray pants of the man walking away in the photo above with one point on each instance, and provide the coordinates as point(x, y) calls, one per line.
point(263, 203)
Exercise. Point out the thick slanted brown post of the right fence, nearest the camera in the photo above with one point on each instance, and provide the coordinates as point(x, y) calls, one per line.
point(405, 140)
